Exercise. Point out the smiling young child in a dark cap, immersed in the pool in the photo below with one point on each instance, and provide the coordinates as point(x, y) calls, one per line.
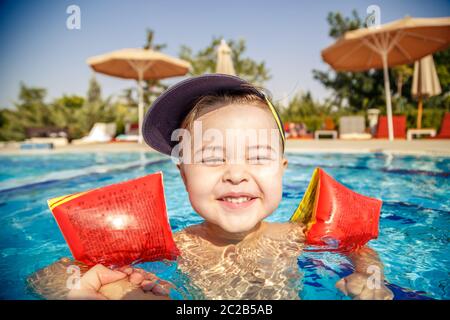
point(234, 253)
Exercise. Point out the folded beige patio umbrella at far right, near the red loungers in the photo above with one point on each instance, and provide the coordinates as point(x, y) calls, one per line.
point(425, 83)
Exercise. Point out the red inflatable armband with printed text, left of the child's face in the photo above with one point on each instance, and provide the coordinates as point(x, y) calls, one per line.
point(118, 224)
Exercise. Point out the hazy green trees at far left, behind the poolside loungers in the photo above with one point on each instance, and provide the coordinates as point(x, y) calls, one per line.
point(74, 113)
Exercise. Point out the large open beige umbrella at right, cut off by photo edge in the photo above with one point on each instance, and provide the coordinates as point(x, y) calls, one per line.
point(400, 42)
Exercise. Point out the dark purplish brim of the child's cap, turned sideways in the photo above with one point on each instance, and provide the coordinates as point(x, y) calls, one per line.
point(170, 108)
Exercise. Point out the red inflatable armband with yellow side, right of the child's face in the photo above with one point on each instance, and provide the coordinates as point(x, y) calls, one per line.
point(336, 216)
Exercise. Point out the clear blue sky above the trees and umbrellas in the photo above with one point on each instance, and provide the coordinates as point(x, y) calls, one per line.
point(38, 49)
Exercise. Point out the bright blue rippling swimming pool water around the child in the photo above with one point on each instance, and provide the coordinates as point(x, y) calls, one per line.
point(415, 220)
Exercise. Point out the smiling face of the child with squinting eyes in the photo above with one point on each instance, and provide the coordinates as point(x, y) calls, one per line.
point(234, 191)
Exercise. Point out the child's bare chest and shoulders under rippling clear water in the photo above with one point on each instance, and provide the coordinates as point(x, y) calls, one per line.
point(263, 268)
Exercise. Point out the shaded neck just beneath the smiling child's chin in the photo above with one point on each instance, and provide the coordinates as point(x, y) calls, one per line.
point(221, 237)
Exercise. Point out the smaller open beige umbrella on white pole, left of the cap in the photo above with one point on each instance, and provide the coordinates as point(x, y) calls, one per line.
point(139, 64)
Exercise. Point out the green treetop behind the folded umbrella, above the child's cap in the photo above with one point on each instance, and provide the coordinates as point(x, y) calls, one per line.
point(204, 61)
